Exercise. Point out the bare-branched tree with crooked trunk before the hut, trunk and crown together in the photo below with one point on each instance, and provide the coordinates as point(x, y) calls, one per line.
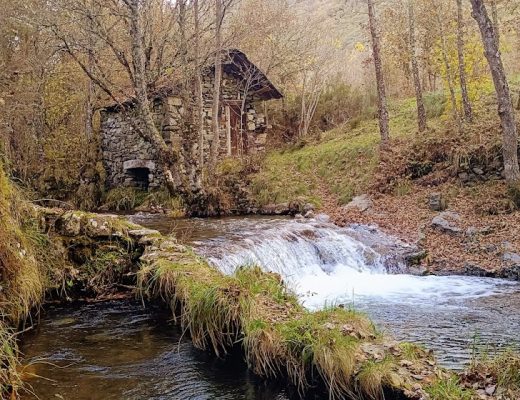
point(125, 30)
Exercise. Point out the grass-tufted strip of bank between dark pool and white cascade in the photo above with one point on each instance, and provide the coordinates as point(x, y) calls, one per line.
point(337, 347)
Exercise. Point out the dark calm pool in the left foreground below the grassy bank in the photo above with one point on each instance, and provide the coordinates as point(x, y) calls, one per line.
point(119, 350)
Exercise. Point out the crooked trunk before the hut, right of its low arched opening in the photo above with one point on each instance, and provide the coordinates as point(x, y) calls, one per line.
point(168, 158)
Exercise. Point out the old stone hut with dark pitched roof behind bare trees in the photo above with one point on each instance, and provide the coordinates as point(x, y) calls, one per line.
point(131, 161)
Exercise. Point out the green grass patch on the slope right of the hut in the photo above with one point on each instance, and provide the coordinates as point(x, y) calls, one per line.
point(344, 160)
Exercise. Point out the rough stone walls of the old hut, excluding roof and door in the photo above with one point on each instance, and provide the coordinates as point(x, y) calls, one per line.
point(126, 155)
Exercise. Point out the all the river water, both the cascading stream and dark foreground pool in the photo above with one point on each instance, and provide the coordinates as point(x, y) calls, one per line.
point(122, 351)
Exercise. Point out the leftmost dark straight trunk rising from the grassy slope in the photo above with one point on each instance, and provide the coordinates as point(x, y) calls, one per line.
point(380, 80)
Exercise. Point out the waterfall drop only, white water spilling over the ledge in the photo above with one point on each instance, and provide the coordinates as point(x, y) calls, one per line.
point(296, 248)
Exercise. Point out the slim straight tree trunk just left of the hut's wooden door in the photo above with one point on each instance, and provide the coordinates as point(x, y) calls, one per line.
point(215, 145)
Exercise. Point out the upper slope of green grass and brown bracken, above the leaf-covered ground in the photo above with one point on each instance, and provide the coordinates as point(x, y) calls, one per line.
point(346, 161)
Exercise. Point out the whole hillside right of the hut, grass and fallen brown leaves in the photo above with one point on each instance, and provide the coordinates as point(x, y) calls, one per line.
point(462, 169)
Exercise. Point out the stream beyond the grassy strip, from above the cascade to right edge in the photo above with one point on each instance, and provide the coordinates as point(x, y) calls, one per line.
point(325, 264)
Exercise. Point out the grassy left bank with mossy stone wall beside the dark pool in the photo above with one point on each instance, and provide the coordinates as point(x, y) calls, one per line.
point(33, 262)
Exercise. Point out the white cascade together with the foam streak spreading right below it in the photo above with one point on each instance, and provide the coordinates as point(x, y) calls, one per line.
point(325, 264)
